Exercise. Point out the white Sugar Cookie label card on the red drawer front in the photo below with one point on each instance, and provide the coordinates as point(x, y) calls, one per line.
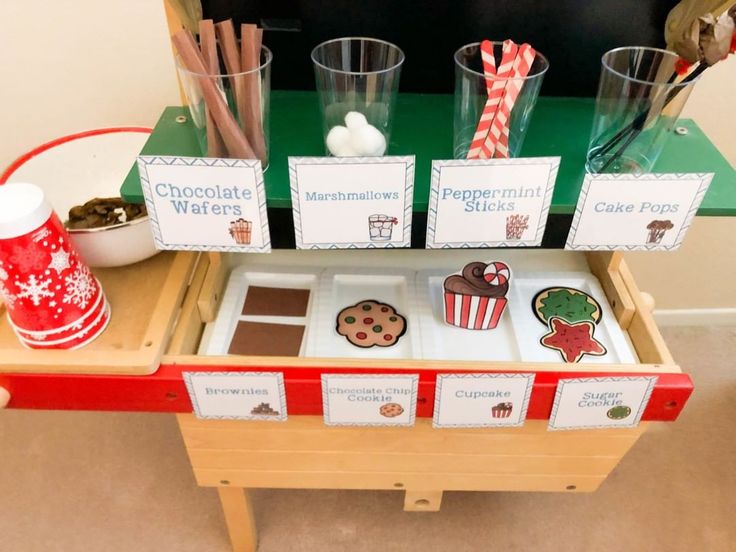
point(586, 403)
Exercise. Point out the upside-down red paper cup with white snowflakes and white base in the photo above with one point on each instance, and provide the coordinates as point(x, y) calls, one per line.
point(50, 295)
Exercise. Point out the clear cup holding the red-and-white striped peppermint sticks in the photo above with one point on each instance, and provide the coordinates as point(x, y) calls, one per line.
point(471, 95)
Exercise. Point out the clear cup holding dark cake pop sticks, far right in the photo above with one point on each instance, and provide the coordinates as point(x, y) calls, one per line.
point(638, 103)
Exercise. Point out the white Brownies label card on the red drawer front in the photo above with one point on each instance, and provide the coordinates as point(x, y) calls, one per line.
point(237, 395)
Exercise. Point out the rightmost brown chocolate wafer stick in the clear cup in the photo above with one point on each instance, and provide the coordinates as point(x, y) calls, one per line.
point(250, 50)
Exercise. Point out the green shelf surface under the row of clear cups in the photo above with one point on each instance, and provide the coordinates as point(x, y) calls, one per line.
point(423, 127)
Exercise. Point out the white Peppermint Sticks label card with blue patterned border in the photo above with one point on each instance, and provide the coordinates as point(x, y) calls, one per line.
point(490, 202)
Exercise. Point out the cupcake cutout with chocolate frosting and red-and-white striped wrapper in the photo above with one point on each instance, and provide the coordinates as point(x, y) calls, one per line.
point(476, 298)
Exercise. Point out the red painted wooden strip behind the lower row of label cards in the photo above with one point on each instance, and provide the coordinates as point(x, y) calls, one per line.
point(165, 391)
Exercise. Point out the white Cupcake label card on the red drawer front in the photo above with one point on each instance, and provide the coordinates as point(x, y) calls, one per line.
point(481, 400)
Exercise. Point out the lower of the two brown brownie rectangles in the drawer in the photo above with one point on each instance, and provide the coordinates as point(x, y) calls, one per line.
point(261, 339)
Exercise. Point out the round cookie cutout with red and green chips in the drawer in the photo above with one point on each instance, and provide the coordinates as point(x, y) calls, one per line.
point(370, 323)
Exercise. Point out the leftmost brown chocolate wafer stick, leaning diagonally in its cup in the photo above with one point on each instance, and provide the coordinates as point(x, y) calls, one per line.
point(237, 145)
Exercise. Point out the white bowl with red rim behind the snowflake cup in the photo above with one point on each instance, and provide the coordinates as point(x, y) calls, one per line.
point(74, 169)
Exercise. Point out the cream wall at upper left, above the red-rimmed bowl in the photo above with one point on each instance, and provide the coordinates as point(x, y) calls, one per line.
point(61, 73)
